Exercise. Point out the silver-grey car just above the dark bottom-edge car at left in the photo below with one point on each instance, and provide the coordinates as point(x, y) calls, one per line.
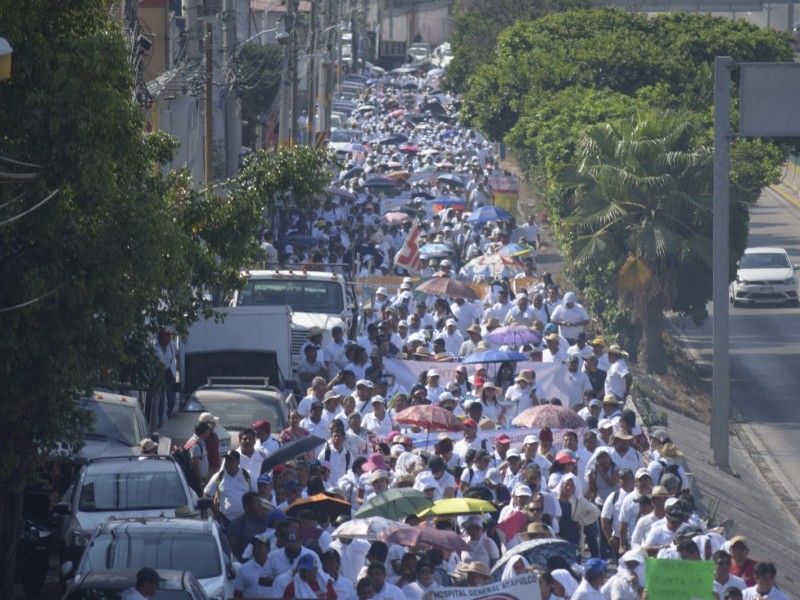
point(197, 546)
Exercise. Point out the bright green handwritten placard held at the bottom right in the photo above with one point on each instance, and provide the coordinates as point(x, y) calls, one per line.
point(679, 579)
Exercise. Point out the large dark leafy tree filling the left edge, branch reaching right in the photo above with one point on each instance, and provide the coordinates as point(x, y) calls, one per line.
point(96, 249)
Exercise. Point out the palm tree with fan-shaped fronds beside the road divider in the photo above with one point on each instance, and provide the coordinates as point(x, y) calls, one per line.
point(641, 196)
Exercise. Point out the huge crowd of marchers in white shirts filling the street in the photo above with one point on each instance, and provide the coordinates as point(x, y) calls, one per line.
point(615, 492)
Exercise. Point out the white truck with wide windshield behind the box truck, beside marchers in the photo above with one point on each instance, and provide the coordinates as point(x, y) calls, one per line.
point(316, 298)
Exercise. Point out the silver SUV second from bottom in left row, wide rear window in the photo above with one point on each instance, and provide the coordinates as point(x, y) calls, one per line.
point(135, 486)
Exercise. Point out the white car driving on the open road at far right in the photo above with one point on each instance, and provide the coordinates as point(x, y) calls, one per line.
point(765, 276)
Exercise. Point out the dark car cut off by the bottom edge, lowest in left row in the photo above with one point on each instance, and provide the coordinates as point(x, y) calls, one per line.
point(113, 584)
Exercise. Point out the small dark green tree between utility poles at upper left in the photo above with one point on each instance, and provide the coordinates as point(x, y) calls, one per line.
point(258, 78)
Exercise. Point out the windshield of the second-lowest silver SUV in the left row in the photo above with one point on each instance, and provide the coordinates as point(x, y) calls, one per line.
point(104, 492)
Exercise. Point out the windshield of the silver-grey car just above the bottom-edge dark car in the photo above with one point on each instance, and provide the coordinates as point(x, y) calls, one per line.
point(160, 549)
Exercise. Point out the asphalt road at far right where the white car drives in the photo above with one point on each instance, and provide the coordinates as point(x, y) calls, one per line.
point(764, 346)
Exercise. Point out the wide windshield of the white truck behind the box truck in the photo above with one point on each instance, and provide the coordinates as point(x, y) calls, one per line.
point(303, 295)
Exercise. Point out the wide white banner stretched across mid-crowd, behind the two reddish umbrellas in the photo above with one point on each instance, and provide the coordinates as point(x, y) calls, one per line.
point(550, 380)
